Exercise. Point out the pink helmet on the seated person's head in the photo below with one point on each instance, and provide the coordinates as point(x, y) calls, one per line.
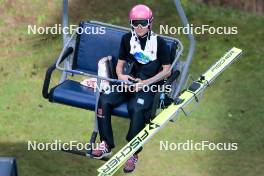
point(140, 12)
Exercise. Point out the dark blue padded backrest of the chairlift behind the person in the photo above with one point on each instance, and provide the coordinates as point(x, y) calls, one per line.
point(91, 47)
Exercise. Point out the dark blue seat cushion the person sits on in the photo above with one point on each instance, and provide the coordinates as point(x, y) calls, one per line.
point(74, 94)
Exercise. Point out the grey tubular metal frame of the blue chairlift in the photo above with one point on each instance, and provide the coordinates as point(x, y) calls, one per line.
point(70, 41)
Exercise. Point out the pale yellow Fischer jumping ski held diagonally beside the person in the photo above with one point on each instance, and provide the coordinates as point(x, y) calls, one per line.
point(187, 96)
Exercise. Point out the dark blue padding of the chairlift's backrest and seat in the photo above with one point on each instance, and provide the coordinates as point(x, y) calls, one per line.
point(89, 49)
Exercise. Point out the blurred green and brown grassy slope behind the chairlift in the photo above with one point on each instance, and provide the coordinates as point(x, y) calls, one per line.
point(231, 110)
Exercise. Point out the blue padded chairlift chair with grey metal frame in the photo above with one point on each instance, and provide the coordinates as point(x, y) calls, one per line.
point(80, 55)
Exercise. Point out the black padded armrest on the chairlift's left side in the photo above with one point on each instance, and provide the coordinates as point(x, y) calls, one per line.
point(45, 89)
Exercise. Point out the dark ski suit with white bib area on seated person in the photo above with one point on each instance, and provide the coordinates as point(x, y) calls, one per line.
point(139, 103)
